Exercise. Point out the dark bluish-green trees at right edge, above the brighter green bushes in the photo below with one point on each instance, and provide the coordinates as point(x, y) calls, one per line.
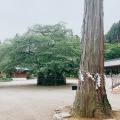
point(113, 35)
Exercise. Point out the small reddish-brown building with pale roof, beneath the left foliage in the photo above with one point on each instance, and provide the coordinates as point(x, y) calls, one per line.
point(19, 74)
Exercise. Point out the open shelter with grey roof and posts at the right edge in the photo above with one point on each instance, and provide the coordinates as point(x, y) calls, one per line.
point(113, 68)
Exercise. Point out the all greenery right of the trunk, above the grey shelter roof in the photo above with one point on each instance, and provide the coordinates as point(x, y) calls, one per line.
point(112, 45)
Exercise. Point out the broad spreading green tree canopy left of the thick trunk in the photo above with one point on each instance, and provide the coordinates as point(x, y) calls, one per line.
point(43, 48)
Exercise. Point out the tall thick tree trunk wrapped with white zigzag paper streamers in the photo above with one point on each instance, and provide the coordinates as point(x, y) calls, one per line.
point(91, 99)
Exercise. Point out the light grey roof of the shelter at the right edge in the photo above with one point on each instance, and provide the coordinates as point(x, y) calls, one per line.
point(112, 63)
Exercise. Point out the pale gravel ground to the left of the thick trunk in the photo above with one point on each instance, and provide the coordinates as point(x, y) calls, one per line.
point(24, 100)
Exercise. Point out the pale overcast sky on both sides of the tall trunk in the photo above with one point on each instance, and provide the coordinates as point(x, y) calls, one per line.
point(17, 15)
